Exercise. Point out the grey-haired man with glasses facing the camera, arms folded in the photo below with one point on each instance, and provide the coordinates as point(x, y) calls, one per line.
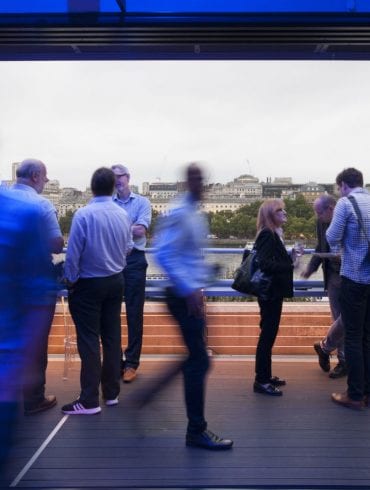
point(139, 211)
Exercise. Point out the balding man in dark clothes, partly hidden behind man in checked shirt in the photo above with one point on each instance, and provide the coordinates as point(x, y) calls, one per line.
point(324, 207)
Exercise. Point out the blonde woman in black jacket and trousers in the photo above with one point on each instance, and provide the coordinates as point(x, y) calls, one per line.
point(275, 261)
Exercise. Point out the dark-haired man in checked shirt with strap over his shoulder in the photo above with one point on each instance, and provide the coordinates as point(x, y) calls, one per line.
point(347, 231)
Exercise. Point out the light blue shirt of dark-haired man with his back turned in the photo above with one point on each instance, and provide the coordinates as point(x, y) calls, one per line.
point(98, 241)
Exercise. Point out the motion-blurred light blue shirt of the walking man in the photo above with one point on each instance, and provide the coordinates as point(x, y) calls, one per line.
point(179, 242)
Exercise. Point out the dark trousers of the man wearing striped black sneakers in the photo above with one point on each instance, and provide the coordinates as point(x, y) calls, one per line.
point(95, 306)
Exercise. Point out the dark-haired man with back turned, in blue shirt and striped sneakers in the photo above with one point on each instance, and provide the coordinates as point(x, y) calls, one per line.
point(96, 256)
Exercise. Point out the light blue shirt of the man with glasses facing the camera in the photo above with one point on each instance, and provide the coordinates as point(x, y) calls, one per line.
point(139, 211)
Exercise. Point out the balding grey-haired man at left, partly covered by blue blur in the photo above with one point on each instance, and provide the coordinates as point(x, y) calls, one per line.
point(31, 179)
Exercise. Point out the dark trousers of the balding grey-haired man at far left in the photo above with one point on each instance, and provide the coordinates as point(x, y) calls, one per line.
point(38, 320)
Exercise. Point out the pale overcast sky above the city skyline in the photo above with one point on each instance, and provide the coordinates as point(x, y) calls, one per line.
point(305, 120)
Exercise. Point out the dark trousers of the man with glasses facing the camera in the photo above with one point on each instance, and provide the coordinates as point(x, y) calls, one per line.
point(134, 295)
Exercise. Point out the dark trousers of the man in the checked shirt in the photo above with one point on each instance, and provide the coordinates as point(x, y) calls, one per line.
point(355, 310)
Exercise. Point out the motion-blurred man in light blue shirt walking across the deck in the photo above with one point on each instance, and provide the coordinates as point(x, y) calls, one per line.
point(181, 236)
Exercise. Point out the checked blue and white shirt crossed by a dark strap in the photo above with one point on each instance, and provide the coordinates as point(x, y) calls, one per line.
point(345, 231)
